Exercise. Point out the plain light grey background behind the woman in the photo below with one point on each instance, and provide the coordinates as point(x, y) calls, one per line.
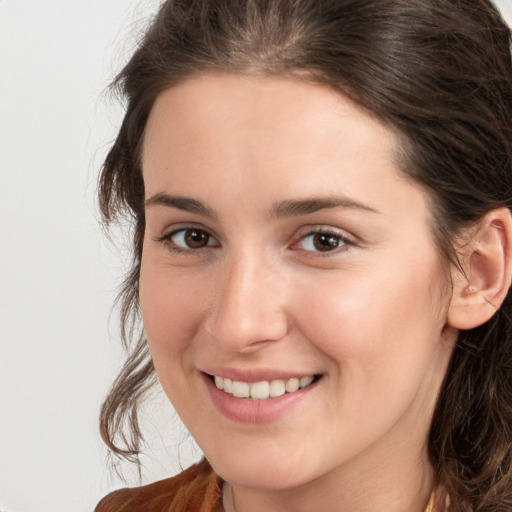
point(58, 274)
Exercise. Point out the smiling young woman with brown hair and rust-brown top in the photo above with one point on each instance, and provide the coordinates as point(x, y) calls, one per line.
point(321, 197)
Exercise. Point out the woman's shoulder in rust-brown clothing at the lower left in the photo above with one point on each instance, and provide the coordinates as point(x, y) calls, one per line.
point(196, 489)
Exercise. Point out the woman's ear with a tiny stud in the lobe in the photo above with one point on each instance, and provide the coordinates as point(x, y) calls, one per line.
point(486, 258)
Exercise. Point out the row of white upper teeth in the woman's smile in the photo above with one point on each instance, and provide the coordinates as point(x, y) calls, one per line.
point(264, 389)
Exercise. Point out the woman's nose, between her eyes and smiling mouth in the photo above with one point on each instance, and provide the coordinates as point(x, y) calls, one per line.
point(249, 309)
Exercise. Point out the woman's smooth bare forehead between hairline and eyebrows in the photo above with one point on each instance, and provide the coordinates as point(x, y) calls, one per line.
point(266, 138)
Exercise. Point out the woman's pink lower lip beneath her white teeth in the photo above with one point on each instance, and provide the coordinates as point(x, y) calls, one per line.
point(255, 412)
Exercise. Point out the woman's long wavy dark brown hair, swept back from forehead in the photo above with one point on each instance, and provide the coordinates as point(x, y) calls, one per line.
point(438, 72)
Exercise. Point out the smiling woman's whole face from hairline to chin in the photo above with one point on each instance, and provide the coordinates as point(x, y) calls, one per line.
point(283, 247)
